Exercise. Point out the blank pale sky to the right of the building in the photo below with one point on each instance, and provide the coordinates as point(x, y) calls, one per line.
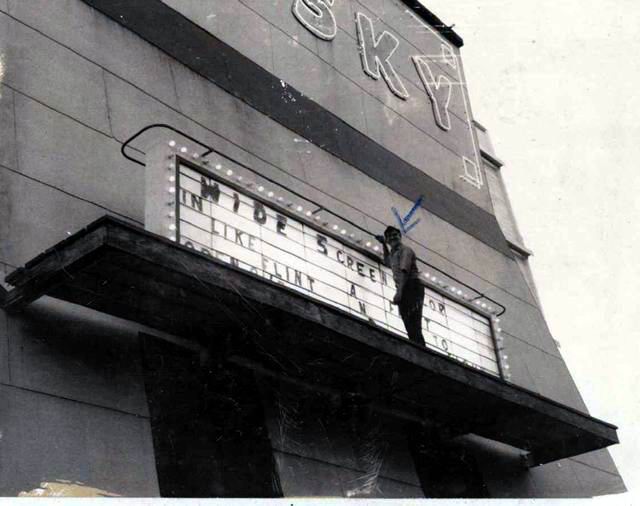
point(556, 85)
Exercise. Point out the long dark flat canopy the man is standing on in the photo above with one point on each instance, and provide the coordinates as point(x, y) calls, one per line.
point(122, 270)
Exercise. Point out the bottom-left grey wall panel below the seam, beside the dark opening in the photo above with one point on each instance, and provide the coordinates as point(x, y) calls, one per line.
point(47, 438)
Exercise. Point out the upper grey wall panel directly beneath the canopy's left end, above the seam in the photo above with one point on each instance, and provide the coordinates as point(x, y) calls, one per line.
point(73, 352)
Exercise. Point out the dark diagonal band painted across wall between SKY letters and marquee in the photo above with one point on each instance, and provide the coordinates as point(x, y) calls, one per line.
point(207, 55)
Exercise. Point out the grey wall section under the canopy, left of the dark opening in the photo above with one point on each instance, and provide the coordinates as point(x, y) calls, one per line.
point(72, 402)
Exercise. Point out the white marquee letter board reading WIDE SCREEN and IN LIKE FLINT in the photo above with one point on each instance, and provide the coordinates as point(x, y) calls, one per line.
point(251, 230)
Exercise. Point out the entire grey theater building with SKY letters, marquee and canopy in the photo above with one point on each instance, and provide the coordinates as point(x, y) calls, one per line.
point(194, 303)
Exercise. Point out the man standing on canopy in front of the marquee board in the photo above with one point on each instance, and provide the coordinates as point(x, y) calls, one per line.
point(409, 289)
